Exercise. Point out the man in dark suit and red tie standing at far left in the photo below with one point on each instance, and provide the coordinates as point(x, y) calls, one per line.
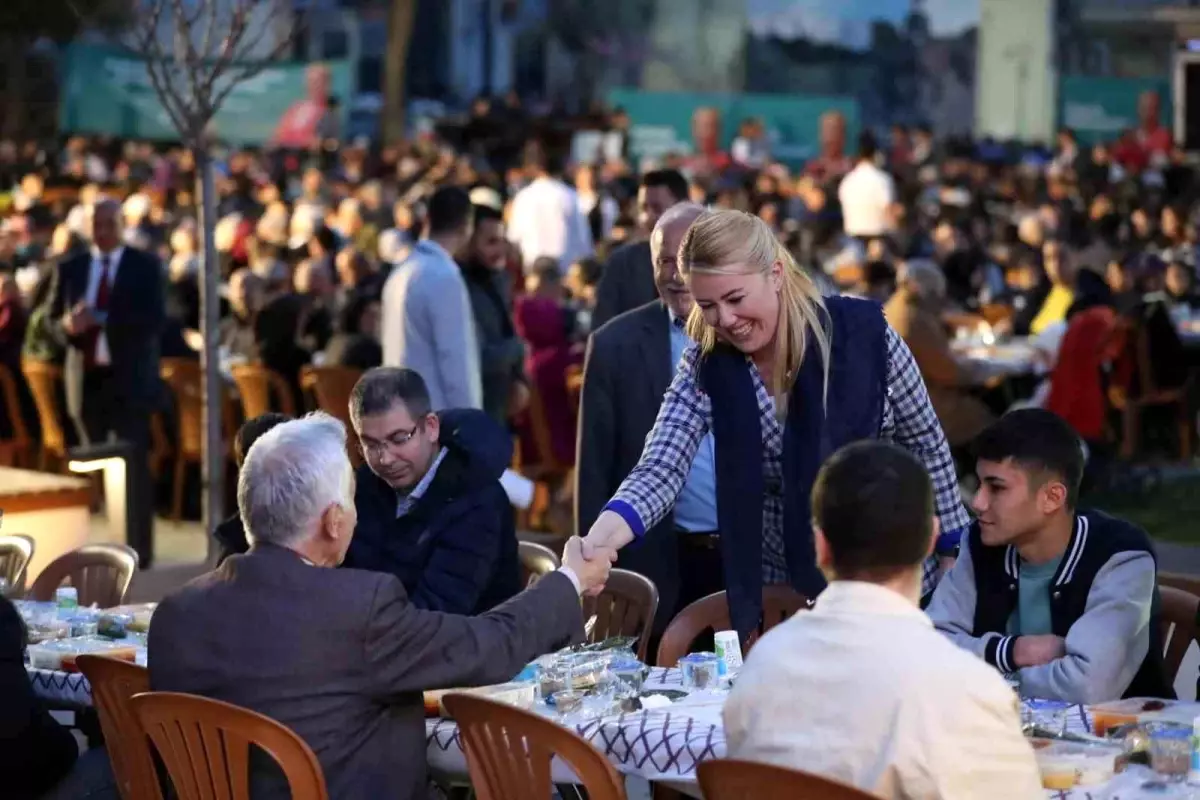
point(107, 309)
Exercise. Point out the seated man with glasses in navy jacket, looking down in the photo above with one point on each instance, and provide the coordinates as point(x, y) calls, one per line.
point(431, 508)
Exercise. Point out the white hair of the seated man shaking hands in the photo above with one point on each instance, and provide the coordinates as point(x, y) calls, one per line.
point(291, 476)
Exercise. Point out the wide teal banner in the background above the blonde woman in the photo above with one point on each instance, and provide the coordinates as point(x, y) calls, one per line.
point(662, 123)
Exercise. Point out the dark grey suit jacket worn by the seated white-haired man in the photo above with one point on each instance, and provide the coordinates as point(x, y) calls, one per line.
point(341, 658)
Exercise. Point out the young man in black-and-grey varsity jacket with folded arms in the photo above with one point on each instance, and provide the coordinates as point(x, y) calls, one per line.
point(1067, 600)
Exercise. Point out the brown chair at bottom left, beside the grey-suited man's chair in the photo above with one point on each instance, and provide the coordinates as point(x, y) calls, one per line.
point(113, 683)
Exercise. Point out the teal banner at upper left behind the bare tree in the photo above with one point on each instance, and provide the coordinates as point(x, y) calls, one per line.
point(107, 91)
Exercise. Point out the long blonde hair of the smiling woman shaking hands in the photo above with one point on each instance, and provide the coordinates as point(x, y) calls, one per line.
point(735, 243)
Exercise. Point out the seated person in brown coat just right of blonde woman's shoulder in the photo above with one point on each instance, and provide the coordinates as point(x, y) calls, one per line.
point(915, 314)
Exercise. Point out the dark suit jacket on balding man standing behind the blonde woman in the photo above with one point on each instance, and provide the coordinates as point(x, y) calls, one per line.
point(626, 376)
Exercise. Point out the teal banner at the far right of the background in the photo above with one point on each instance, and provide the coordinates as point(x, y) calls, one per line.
point(1099, 110)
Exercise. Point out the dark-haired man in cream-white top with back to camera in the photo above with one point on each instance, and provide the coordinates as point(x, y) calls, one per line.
point(862, 689)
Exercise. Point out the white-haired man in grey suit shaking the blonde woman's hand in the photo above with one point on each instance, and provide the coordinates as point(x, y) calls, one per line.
point(340, 657)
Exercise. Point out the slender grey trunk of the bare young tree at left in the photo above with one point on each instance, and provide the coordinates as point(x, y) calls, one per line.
point(213, 465)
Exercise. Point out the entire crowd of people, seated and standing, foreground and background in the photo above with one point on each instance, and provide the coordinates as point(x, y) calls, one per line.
point(749, 371)
